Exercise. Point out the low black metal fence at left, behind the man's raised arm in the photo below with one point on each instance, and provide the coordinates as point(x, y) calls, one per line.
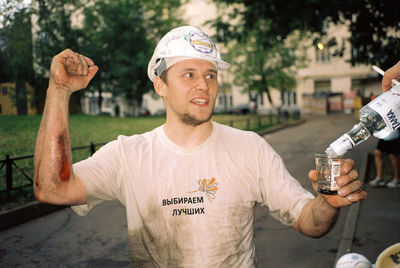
point(9, 164)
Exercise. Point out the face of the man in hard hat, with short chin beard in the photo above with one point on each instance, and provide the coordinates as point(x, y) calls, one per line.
point(191, 91)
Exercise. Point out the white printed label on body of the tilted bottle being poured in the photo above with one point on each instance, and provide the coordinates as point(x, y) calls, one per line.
point(387, 105)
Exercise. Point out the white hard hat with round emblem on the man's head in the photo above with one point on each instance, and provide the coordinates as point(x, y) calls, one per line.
point(182, 43)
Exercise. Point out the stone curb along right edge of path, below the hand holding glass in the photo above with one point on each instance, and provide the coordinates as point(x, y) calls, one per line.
point(346, 240)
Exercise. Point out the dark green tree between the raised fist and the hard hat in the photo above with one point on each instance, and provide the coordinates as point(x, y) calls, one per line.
point(115, 38)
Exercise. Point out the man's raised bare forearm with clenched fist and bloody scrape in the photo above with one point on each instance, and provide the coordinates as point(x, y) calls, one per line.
point(54, 180)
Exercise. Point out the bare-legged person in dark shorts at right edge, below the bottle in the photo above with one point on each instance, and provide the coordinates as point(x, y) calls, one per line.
point(390, 146)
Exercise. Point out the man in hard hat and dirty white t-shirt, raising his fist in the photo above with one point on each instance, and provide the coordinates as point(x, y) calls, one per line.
point(190, 185)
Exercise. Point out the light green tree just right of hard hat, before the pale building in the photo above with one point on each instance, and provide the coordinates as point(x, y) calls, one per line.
point(260, 60)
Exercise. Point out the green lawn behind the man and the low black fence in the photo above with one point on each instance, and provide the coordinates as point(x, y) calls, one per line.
point(18, 133)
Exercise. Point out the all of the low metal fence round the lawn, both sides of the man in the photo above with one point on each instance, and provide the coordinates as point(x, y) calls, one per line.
point(26, 169)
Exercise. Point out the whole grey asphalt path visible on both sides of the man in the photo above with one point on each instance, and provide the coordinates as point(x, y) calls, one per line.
point(63, 239)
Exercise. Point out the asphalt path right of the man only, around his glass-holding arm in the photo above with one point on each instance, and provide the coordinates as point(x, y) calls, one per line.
point(280, 246)
